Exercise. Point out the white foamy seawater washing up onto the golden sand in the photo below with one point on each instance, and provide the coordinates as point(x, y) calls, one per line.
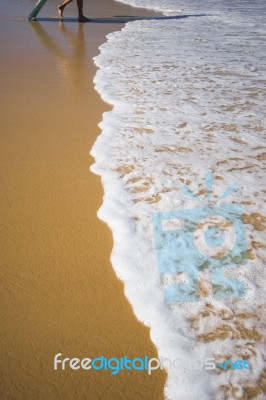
point(188, 98)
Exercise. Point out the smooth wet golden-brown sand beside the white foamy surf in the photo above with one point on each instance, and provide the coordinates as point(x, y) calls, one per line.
point(59, 292)
